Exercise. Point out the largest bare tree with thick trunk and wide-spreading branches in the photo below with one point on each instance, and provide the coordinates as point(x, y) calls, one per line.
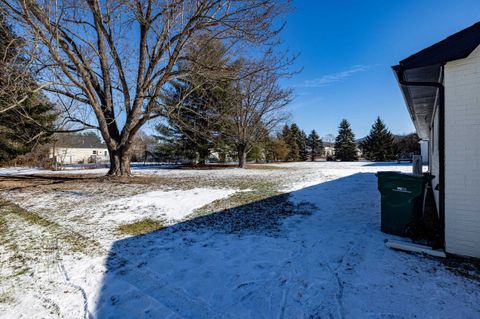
point(107, 62)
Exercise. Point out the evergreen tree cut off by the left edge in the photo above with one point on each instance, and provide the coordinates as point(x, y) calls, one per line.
point(29, 123)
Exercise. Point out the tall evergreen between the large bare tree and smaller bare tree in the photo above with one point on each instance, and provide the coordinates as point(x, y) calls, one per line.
point(200, 99)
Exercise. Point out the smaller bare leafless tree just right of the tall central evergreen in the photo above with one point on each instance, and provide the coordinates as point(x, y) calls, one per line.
point(257, 108)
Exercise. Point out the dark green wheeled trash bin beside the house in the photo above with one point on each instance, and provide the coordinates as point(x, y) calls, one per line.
point(401, 200)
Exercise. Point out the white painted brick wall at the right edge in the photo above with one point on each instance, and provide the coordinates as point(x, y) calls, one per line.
point(462, 155)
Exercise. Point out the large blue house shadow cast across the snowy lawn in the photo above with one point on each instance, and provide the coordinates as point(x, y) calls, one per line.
point(312, 253)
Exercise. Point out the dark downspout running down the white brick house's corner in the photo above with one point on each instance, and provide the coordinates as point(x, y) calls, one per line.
point(441, 141)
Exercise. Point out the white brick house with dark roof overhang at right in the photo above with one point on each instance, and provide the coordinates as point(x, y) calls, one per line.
point(441, 87)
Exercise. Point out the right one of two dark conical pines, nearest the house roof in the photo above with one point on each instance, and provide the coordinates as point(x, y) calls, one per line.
point(379, 145)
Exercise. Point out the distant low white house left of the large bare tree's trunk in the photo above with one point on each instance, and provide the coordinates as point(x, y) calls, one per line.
point(78, 149)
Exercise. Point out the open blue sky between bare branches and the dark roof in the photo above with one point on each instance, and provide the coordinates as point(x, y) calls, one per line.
point(347, 48)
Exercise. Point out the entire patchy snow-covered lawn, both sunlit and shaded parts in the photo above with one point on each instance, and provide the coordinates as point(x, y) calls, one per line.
point(298, 241)
